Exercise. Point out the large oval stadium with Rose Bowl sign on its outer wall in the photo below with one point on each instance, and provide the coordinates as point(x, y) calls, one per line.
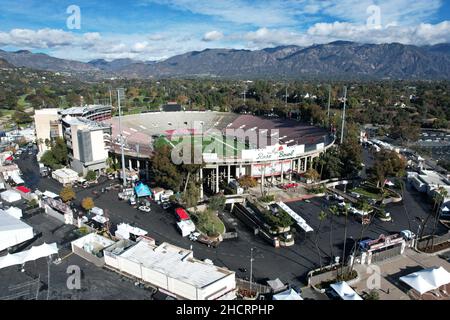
point(232, 145)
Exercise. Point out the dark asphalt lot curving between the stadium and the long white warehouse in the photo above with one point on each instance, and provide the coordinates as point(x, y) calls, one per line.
point(289, 264)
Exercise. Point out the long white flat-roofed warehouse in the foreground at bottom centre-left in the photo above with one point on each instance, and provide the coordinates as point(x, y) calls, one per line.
point(172, 269)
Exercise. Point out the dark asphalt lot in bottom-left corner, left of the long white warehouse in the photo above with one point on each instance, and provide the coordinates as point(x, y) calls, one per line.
point(43, 280)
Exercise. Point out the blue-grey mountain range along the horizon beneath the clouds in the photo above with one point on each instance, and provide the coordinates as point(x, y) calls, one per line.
point(339, 60)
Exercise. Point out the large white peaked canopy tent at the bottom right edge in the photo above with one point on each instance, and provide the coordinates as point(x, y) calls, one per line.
point(427, 279)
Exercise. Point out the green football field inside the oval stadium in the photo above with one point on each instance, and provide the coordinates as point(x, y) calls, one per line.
point(224, 147)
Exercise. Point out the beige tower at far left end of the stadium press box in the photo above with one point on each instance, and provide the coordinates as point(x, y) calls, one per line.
point(48, 127)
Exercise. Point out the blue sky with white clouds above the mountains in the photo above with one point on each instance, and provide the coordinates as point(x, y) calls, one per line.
point(157, 29)
